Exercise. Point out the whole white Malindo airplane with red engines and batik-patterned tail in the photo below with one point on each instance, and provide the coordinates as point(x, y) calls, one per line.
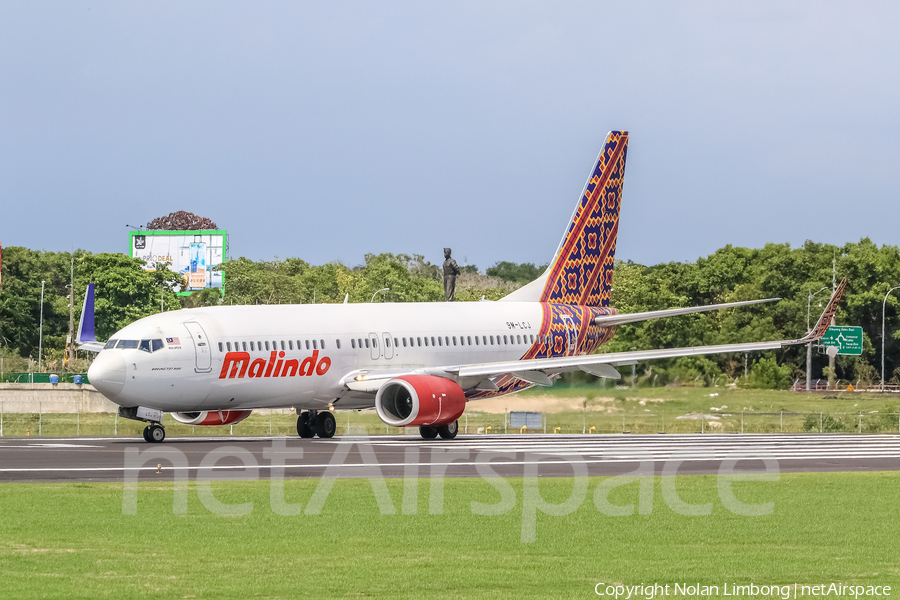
point(417, 364)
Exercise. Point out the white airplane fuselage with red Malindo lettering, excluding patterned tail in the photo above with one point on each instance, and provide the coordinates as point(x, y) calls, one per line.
point(322, 346)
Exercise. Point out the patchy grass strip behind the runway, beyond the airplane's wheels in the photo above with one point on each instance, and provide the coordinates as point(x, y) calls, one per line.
point(642, 410)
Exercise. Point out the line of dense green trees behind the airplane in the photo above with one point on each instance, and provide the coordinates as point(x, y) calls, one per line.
point(126, 292)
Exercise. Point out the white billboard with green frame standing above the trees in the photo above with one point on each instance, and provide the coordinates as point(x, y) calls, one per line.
point(193, 254)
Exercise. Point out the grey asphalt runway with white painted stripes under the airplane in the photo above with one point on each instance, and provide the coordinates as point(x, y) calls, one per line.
point(114, 459)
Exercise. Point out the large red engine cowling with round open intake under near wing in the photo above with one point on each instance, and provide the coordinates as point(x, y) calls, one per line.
point(419, 400)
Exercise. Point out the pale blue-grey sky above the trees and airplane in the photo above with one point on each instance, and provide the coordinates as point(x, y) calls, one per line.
point(330, 130)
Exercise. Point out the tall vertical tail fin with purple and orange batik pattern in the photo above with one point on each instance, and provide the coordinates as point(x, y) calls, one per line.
point(582, 271)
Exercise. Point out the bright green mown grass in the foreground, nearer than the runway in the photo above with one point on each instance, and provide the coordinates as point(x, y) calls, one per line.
point(73, 541)
